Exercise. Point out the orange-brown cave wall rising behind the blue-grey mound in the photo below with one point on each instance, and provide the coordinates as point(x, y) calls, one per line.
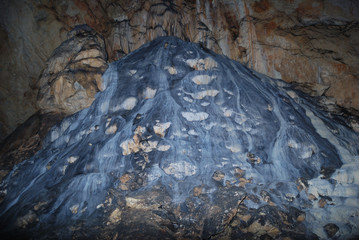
point(303, 41)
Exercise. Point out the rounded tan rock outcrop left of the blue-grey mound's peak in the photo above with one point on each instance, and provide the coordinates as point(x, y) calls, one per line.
point(73, 73)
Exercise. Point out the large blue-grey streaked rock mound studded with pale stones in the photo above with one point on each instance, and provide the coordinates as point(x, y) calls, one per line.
point(186, 144)
